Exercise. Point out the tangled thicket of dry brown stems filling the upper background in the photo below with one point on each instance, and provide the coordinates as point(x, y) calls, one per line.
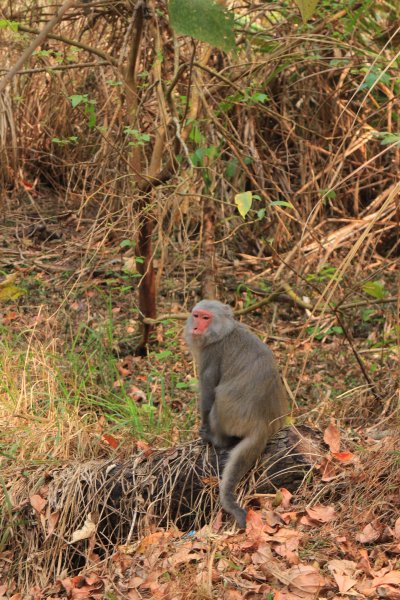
point(299, 122)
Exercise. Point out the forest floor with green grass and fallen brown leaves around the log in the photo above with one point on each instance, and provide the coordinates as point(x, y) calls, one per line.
point(72, 390)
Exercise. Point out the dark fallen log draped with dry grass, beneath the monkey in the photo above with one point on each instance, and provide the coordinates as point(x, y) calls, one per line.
point(91, 507)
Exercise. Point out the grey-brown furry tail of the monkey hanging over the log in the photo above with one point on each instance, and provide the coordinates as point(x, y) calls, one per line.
point(241, 458)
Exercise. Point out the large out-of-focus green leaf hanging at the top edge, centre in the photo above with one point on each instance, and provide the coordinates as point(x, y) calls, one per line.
point(204, 20)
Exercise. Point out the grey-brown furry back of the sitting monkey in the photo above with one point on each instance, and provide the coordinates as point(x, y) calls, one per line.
point(250, 383)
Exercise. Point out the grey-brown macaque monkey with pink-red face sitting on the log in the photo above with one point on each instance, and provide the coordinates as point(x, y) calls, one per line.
point(242, 399)
